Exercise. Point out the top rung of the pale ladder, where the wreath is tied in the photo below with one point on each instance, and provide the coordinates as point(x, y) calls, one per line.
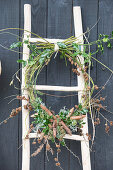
point(43, 40)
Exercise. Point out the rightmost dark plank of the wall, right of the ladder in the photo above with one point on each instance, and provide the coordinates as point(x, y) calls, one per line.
point(104, 142)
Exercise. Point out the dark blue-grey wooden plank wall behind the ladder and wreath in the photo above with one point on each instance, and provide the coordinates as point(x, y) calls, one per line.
point(54, 19)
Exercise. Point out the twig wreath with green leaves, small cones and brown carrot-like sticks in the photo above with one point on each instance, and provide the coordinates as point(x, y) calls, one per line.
point(53, 126)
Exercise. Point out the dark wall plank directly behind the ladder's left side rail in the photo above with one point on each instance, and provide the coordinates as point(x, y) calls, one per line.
point(38, 18)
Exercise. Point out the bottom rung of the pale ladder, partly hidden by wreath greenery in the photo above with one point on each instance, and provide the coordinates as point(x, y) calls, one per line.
point(73, 137)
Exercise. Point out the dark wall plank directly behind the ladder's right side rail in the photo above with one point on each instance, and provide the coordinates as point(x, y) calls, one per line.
point(89, 17)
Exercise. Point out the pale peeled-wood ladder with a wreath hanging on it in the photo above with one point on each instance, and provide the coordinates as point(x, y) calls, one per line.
point(25, 113)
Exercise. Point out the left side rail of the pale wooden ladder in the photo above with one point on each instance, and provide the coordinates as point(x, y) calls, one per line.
point(25, 113)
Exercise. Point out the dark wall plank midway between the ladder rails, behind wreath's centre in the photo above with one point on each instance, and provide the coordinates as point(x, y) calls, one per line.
point(59, 26)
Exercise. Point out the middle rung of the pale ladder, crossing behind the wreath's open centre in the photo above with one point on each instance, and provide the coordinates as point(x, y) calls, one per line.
point(57, 88)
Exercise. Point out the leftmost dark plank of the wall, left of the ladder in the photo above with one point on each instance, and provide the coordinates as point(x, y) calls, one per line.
point(9, 17)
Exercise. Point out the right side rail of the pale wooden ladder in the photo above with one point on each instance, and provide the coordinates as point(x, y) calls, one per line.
point(81, 83)
